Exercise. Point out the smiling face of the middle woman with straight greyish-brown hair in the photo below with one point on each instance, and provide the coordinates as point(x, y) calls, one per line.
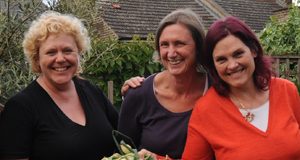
point(177, 49)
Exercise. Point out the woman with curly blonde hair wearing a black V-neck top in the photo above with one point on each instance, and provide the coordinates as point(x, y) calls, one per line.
point(59, 115)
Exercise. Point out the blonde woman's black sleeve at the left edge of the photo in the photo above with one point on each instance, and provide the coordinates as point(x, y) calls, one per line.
point(16, 129)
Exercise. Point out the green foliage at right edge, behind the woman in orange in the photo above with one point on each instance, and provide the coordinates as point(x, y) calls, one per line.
point(282, 38)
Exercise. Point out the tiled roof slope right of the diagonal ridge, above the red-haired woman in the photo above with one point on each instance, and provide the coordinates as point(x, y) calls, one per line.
point(255, 13)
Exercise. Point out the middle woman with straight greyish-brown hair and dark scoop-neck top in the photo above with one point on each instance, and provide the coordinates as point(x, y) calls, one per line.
point(156, 114)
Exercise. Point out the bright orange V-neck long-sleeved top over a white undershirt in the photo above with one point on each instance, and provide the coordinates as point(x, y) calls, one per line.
point(217, 127)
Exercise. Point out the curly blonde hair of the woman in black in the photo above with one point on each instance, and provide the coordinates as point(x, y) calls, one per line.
point(53, 22)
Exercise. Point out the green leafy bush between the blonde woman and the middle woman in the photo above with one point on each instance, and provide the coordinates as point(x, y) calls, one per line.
point(118, 61)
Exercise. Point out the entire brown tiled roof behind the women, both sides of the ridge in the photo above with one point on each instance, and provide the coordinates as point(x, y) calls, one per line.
point(140, 17)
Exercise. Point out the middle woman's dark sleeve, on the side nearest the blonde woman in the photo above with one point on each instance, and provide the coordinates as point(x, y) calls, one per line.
point(129, 116)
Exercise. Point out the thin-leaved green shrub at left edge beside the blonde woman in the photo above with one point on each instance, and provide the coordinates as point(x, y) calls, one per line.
point(14, 72)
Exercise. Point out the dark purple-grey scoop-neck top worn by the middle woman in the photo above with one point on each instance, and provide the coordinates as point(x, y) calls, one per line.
point(150, 125)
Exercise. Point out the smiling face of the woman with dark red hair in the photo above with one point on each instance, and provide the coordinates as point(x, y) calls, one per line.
point(234, 62)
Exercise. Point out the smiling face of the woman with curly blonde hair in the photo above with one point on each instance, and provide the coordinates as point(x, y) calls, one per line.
point(58, 59)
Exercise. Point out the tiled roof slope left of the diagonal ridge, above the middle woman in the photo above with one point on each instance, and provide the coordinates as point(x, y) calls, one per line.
point(143, 16)
